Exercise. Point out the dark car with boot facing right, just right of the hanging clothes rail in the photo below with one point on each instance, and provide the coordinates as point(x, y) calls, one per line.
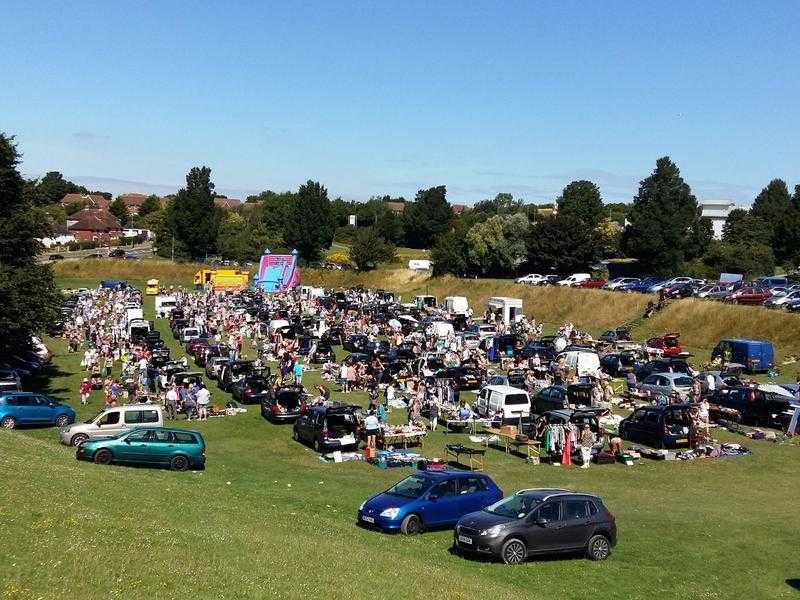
point(658, 426)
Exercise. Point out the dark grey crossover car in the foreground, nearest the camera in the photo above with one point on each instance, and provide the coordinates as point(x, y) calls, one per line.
point(535, 522)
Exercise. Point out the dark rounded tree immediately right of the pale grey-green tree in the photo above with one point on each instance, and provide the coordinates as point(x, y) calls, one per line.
point(561, 244)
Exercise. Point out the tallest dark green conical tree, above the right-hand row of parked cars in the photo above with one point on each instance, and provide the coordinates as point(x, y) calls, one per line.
point(664, 220)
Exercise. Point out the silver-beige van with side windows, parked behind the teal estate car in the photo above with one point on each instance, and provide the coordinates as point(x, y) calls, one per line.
point(113, 421)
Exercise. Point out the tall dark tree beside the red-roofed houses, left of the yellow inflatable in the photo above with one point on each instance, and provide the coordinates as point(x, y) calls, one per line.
point(192, 217)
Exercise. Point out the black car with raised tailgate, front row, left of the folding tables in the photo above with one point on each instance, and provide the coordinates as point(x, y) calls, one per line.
point(327, 428)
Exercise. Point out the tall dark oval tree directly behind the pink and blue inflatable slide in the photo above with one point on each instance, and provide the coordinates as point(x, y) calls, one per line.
point(309, 222)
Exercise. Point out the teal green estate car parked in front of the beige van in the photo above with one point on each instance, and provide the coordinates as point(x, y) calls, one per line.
point(177, 448)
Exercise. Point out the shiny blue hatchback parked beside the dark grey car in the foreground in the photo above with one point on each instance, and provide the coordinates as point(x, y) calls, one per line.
point(428, 499)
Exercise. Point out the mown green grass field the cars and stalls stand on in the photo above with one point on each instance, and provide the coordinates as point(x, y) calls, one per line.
point(266, 518)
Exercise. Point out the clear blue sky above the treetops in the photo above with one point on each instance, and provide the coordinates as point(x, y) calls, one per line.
point(386, 98)
